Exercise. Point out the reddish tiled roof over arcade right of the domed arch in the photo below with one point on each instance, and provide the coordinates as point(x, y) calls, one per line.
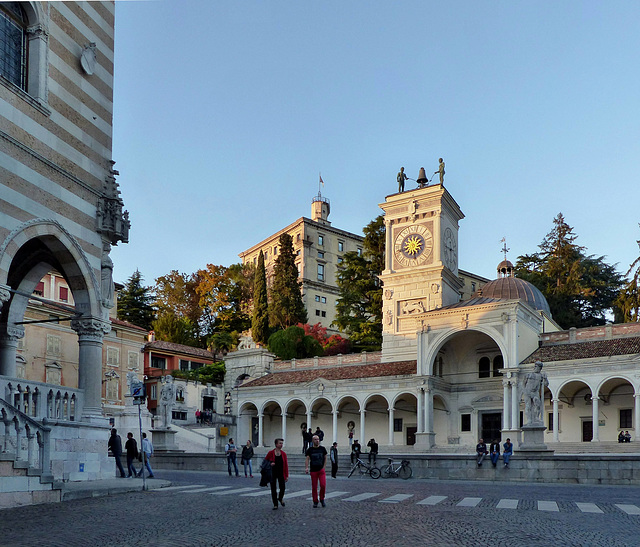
point(586, 350)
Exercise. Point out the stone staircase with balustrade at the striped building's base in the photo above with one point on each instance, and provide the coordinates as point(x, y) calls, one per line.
point(25, 467)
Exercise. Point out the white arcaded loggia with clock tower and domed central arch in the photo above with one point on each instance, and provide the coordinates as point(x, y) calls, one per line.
point(453, 362)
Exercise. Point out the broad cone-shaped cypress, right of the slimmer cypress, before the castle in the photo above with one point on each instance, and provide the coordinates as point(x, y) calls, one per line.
point(287, 307)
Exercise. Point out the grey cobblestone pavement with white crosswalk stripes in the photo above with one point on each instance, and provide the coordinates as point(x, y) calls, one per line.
point(215, 509)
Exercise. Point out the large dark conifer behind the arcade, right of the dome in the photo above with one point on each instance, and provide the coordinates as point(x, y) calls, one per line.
point(580, 289)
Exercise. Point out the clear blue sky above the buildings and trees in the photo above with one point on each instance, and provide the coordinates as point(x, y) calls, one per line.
point(225, 113)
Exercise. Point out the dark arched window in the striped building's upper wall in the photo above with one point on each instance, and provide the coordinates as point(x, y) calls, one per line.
point(13, 43)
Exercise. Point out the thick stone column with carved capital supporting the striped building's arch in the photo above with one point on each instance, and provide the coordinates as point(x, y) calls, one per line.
point(91, 332)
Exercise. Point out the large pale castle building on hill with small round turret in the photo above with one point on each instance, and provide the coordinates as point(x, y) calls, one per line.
point(320, 248)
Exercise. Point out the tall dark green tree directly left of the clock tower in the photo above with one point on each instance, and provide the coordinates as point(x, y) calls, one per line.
point(359, 307)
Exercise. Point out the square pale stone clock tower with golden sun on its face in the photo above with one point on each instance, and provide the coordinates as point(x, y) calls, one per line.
point(421, 265)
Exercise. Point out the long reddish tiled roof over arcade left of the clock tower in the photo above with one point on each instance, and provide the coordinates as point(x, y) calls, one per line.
point(335, 373)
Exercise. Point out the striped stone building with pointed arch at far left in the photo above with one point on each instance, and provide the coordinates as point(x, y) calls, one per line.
point(60, 207)
